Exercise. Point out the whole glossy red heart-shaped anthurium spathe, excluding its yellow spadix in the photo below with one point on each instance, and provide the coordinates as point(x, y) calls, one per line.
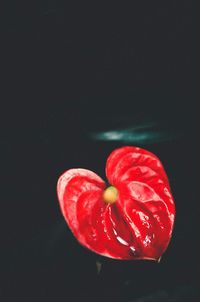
point(139, 224)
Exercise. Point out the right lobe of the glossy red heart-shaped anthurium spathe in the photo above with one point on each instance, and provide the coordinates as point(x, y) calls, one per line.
point(145, 198)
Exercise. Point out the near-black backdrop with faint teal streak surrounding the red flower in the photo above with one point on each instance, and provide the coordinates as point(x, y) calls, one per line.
point(77, 81)
